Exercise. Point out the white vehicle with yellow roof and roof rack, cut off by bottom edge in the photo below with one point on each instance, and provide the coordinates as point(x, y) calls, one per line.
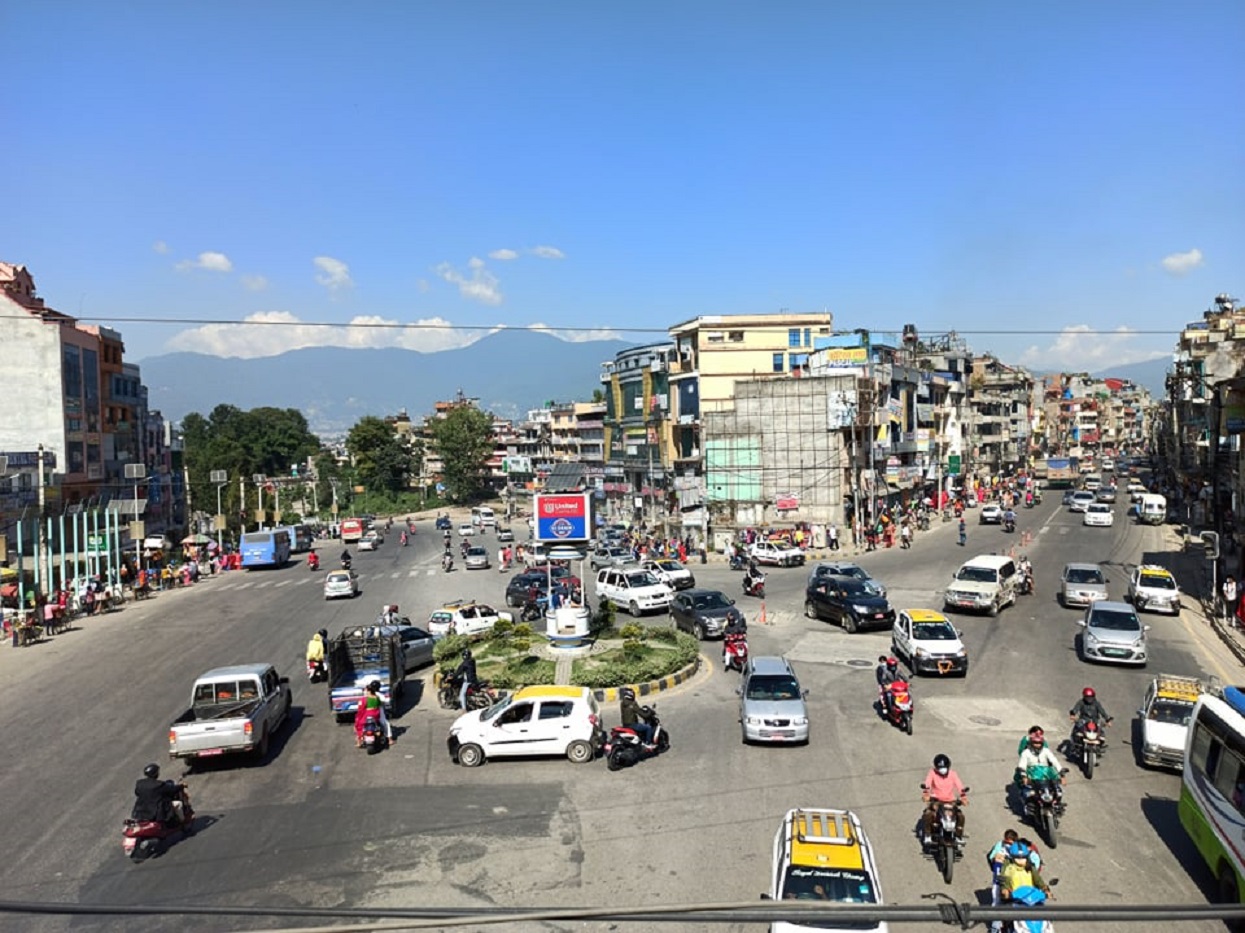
point(824, 855)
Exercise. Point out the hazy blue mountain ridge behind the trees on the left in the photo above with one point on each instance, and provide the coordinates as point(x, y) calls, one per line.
point(510, 372)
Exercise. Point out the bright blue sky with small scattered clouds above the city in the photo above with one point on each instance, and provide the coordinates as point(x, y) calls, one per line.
point(980, 168)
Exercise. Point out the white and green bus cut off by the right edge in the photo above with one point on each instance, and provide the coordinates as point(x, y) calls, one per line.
point(1213, 789)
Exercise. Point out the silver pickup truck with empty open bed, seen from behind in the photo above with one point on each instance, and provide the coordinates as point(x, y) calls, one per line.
point(233, 709)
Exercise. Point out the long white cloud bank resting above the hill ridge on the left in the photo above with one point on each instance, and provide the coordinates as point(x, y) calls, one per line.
point(272, 333)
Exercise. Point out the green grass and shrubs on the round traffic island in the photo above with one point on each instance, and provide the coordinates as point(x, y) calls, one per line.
point(515, 656)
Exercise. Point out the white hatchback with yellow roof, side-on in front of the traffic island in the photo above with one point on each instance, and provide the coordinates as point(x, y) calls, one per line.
point(532, 722)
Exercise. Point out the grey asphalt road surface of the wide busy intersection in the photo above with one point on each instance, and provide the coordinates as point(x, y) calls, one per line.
point(321, 825)
